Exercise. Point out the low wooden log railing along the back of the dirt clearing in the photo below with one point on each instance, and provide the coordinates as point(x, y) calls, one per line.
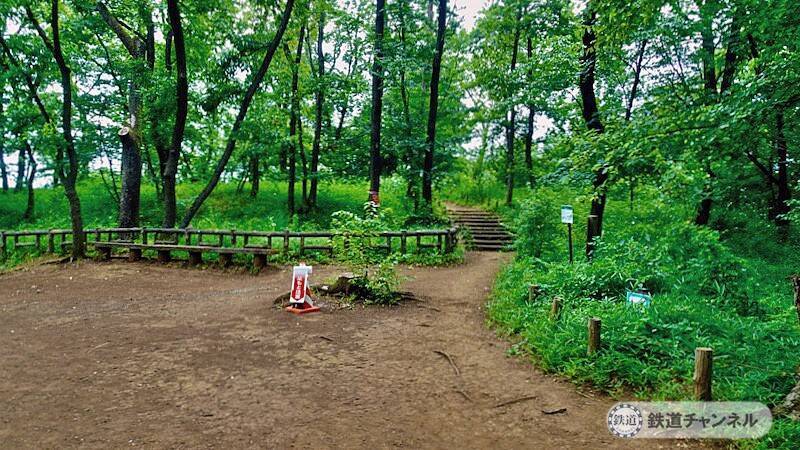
point(443, 241)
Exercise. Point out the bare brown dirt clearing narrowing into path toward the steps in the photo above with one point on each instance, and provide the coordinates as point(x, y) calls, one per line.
point(118, 354)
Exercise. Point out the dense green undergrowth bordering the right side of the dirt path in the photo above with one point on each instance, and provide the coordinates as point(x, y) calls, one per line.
point(726, 290)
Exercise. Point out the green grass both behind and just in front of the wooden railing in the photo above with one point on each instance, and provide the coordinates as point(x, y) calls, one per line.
point(227, 209)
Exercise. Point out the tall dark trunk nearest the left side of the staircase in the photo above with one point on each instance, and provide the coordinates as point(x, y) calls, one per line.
point(427, 166)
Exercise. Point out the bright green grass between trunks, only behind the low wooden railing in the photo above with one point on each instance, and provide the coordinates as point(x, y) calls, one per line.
point(225, 208)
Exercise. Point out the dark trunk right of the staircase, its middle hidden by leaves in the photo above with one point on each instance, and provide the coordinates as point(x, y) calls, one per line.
point(591, 117)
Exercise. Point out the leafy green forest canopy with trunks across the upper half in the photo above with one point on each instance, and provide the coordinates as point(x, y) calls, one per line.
point(697, 99)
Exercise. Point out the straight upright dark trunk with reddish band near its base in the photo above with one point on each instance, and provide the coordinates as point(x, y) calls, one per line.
point(376, 161)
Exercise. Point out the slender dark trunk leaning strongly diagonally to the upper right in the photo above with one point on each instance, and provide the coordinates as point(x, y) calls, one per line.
point(255, 83)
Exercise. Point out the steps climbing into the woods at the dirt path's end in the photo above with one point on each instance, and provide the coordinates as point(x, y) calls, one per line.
point(488, 234)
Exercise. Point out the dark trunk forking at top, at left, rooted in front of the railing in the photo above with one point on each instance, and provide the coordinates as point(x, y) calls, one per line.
point(66, 146)
